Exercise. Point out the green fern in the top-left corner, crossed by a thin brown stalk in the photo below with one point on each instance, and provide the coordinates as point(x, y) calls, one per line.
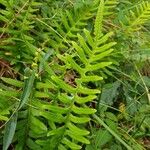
point(17, 22)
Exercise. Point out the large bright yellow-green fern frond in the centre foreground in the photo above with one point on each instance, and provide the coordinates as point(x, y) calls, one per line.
point(71, 101)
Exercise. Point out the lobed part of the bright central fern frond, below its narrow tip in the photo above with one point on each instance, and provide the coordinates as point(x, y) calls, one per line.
point(88, 58)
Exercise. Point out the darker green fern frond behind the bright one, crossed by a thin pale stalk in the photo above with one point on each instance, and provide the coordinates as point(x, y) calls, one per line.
point(71, 23)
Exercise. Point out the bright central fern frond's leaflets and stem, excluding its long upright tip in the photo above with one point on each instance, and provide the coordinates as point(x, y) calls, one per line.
point(96, 54)
